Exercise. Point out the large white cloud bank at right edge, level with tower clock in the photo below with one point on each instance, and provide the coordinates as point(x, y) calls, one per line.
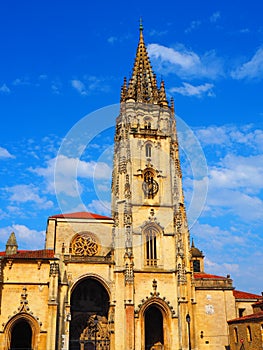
point(235, 188)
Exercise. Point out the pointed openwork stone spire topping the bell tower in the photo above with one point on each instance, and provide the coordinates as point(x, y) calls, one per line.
point(142, 86)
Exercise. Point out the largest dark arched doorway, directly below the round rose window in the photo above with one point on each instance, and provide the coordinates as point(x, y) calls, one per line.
point(89, 300)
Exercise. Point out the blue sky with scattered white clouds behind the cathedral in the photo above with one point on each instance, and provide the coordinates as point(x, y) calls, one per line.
point(62, 60)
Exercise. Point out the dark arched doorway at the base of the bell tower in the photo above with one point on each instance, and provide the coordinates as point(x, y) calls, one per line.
point(153, 323)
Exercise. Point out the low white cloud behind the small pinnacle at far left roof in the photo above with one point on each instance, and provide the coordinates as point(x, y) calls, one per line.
point(26, 237)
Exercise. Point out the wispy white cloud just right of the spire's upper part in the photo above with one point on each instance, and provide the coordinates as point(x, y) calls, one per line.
point(185, 63)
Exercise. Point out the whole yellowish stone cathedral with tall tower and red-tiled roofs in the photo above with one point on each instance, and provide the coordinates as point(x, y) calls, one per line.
point(132, 281)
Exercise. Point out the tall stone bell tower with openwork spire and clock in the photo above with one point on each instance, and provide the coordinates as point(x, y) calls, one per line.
point(150, 233)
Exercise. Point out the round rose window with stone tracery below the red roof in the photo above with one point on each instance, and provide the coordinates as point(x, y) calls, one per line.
point(85, 245)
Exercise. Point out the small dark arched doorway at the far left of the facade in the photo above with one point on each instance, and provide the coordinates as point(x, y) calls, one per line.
point(21, 336)
